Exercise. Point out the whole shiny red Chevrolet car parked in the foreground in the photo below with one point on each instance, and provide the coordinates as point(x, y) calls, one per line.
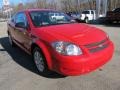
point(58, 43)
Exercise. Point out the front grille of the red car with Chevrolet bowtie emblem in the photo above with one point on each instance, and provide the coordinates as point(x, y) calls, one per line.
point(98, 46)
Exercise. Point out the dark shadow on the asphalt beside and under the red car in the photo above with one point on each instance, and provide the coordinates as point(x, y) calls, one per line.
point(23, 59)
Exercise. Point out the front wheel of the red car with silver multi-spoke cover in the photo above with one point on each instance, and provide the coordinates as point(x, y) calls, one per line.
point(40, 61)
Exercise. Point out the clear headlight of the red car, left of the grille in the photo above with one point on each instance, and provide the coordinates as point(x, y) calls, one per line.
point(66, 48)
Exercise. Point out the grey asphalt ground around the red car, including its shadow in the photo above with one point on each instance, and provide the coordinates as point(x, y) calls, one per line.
point(17, 71)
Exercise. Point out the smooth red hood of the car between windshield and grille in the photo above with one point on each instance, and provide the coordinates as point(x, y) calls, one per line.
point(81, 34)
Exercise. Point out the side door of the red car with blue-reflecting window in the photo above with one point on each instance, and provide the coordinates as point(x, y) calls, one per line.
point(23, 31)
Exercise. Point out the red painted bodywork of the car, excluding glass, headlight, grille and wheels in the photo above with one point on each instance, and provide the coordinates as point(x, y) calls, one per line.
point(79, 34)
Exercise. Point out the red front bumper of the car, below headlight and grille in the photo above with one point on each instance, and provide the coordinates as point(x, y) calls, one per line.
point(77, 65)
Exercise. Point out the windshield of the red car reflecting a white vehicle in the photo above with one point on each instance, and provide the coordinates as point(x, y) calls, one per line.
point(44, 18)
